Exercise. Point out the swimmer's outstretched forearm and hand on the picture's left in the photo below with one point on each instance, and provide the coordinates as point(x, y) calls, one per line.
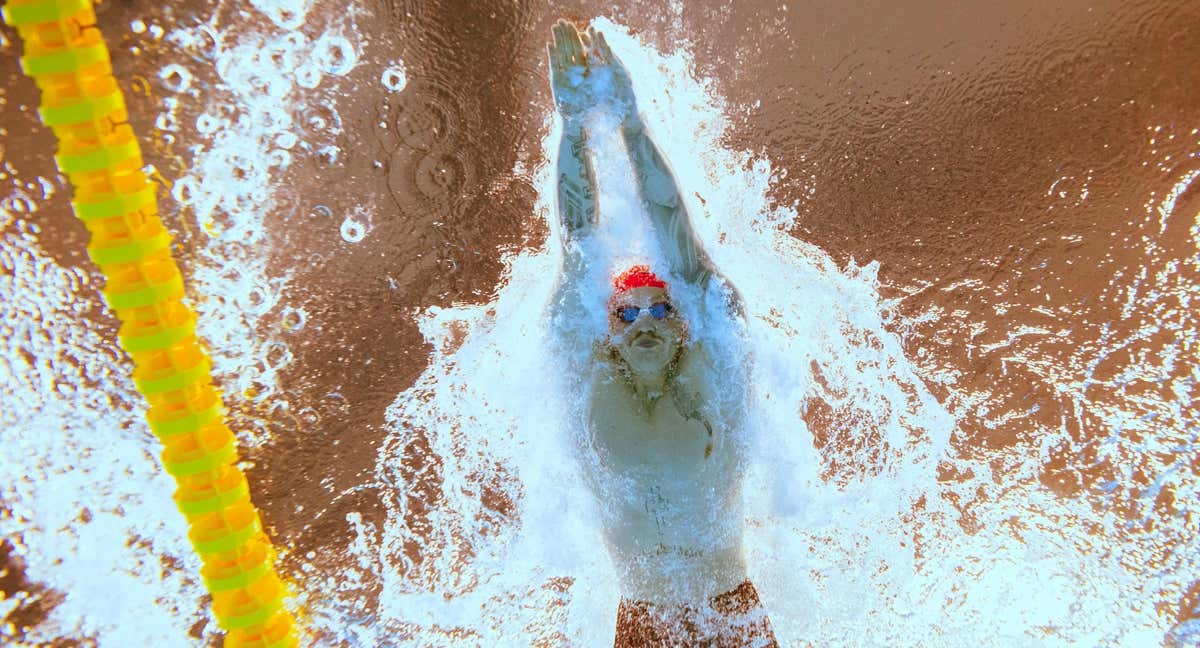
point(577, 178)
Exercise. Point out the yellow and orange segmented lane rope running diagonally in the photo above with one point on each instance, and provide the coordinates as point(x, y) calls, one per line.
point(82, 104)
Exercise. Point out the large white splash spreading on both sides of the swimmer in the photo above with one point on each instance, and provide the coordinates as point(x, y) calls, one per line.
point(493, 539)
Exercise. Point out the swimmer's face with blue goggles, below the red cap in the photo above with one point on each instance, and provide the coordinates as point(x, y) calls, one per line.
point(647, 345)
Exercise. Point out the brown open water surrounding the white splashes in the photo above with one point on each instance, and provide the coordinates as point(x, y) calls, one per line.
point(1006, 165)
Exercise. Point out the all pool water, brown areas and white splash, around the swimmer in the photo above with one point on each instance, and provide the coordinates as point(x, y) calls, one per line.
point(968, 242)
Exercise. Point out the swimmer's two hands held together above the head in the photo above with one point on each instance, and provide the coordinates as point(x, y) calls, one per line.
point(586, 75)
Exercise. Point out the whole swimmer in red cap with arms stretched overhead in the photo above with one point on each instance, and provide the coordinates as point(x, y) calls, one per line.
point(664, 407)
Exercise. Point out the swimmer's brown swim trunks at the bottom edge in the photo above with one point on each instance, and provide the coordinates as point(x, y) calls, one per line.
point(734, 620)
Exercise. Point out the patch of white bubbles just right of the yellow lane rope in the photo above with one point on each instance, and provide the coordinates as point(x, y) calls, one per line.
point(265, 113)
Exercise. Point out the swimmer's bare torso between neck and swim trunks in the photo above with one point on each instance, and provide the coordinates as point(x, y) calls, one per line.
point(669, 487)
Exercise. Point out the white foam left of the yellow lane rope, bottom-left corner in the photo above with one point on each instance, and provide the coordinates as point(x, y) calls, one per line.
point(87, 507)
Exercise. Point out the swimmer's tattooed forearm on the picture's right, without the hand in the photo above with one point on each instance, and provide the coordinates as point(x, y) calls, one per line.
point(669, 213)
